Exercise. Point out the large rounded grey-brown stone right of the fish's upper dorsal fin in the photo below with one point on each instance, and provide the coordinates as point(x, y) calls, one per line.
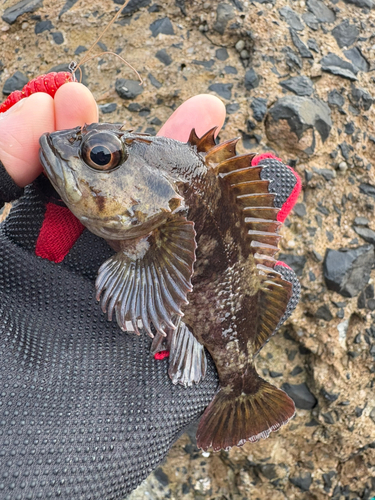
point(292, 122)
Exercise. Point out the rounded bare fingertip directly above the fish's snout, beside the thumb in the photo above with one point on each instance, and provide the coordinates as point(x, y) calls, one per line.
point(74, 106)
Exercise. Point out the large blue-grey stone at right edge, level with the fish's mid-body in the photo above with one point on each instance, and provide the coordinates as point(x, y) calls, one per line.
point(348, 271)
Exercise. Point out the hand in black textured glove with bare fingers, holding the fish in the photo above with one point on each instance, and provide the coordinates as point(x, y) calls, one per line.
point(107, 411)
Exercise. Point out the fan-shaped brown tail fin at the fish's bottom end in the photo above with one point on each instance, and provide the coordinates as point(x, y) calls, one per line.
point(231, 420)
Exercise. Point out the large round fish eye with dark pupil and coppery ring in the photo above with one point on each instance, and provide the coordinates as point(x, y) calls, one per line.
point(103, 151)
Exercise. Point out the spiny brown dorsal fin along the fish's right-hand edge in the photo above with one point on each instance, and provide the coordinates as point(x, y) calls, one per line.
point(258, 215)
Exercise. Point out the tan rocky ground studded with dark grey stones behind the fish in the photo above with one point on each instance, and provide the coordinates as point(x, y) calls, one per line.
point(297, 77)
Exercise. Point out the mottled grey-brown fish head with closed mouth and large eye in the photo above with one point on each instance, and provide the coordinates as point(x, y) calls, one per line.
point(107, 178)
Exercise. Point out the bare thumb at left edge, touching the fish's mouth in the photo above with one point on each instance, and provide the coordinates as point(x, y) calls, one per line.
point(20, 129)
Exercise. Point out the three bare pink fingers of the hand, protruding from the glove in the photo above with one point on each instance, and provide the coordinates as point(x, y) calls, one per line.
point(74, 105)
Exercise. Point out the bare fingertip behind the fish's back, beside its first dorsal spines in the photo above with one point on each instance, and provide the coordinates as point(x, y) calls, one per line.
point(201, 112)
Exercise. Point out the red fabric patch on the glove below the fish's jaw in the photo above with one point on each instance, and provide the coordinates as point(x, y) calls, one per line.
point(59, 231)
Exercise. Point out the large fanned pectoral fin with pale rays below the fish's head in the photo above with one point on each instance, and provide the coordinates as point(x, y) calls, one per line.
point(148, 281)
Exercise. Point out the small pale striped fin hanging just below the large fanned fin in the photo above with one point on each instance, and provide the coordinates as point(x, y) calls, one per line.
point(187, 359)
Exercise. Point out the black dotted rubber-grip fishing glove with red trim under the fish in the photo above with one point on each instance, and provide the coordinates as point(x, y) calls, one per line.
point(85, 409)
